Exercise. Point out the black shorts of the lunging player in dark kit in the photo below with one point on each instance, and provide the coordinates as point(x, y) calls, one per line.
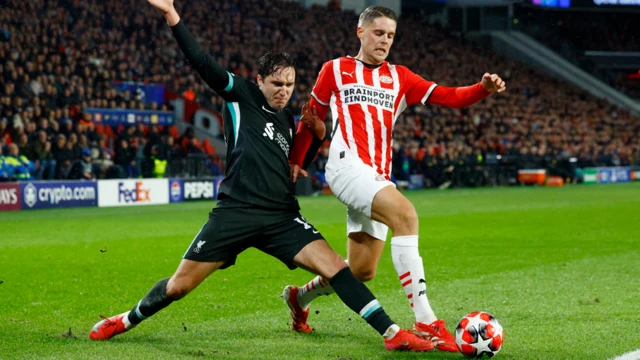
point(230, 231)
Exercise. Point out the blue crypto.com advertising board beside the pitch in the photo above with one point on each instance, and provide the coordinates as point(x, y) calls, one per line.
point(58, 194)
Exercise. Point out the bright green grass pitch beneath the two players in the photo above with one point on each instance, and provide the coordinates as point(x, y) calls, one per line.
point(557, 267)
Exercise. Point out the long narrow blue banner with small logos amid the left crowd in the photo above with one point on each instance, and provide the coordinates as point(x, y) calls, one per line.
point(129, 117)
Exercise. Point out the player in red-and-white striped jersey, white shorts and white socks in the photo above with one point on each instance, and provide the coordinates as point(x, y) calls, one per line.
point(366, 94)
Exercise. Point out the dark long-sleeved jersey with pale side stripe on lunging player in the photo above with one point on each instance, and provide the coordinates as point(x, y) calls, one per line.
point(258, 137)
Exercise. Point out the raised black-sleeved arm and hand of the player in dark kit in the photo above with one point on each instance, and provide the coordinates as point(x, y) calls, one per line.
point(211, 72)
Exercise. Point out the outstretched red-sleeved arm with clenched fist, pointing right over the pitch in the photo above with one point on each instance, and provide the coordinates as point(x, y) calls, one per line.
point(422, 91)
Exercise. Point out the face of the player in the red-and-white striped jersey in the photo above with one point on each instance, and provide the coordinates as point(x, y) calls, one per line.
point(376, 39)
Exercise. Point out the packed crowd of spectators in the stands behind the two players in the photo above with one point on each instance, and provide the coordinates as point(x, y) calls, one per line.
point(58, 57)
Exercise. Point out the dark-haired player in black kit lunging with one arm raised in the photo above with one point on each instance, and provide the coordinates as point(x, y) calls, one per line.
point(256, 207)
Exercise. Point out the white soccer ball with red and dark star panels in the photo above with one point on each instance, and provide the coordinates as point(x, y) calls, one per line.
point(479, 334)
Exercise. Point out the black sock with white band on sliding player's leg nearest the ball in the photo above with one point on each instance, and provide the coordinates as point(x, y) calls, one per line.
point(358, 298)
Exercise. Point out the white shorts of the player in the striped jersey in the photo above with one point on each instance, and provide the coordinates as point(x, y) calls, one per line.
point(356, 184)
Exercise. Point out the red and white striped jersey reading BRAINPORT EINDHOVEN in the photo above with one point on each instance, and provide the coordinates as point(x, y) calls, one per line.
point(366, 103)
